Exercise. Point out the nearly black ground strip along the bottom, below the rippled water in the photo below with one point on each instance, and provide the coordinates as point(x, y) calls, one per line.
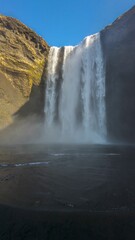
point(16, 224)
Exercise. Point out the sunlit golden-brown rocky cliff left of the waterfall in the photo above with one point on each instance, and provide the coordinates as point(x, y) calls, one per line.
point(23, 55)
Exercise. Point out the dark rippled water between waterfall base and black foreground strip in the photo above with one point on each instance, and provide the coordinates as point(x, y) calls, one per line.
point(68, 177)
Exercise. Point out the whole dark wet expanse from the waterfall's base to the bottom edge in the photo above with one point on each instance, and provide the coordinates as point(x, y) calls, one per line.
point(67, 192)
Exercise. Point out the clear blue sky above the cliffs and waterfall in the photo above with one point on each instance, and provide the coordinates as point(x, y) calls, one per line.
point(65, 22)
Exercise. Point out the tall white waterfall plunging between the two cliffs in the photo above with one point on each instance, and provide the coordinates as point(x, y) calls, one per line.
point(75, 93)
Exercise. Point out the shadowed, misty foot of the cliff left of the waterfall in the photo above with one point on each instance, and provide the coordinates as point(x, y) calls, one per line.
point(28, 121)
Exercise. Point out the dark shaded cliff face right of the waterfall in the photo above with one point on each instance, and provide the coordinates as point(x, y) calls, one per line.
point(118, 42)
